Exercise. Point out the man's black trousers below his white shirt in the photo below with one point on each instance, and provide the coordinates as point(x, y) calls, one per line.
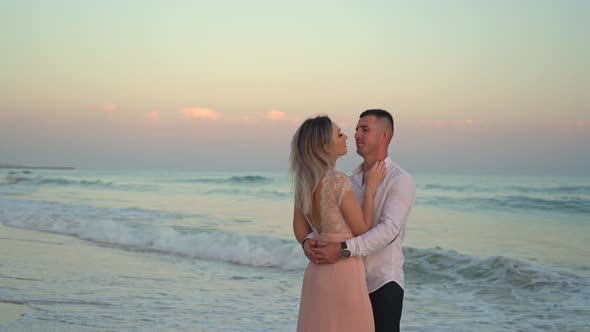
point(387, 307)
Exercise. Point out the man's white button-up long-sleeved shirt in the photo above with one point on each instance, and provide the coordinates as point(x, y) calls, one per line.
point(381, 246)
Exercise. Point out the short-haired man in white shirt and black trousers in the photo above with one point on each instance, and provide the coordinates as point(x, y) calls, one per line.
point(381, 246)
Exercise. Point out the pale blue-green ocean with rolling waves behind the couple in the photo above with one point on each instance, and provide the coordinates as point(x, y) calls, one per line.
point(214, 251)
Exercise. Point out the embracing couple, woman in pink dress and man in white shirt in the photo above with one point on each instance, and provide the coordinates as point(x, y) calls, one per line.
point(350, 228)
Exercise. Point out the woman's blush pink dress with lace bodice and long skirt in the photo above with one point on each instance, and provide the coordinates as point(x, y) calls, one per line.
point(334, 296)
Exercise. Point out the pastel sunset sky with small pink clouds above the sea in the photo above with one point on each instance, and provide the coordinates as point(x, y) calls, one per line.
point(474, 86)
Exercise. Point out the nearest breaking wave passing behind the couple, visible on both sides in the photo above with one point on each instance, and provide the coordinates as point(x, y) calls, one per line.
point(127, 229)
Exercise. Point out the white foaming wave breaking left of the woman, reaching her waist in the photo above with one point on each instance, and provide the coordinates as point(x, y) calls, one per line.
point(125, 228)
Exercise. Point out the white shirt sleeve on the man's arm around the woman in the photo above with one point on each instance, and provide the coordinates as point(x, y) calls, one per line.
point(400, 196)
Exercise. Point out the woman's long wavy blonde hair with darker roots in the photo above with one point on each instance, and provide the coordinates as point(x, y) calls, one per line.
point(309, 158)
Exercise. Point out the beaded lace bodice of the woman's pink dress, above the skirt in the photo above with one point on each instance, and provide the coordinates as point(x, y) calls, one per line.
point(334, 185)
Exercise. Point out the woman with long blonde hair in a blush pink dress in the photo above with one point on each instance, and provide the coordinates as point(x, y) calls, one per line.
point(334, 296)
